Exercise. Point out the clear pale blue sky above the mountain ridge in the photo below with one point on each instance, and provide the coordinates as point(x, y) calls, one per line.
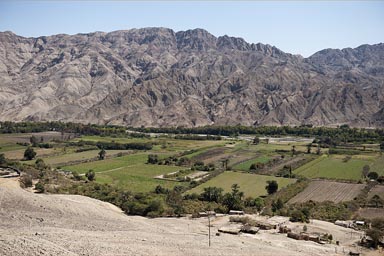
point(297, 27)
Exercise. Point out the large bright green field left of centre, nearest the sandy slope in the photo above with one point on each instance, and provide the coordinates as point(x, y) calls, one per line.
point(130, 172)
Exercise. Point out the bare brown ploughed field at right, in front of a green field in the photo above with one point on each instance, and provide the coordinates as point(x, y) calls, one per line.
point(321, 191)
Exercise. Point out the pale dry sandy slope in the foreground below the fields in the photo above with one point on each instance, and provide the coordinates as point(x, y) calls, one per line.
point(40, 224)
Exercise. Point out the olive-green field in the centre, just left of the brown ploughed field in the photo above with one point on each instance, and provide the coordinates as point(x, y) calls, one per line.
point(251, 184)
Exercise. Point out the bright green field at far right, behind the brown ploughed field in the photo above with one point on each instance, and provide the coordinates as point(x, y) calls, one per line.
point(333, 167)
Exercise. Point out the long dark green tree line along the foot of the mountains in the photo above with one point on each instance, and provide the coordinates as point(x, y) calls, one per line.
point(331, 135)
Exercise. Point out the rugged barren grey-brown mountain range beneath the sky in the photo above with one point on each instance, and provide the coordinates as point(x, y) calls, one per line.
point(158, 77)
